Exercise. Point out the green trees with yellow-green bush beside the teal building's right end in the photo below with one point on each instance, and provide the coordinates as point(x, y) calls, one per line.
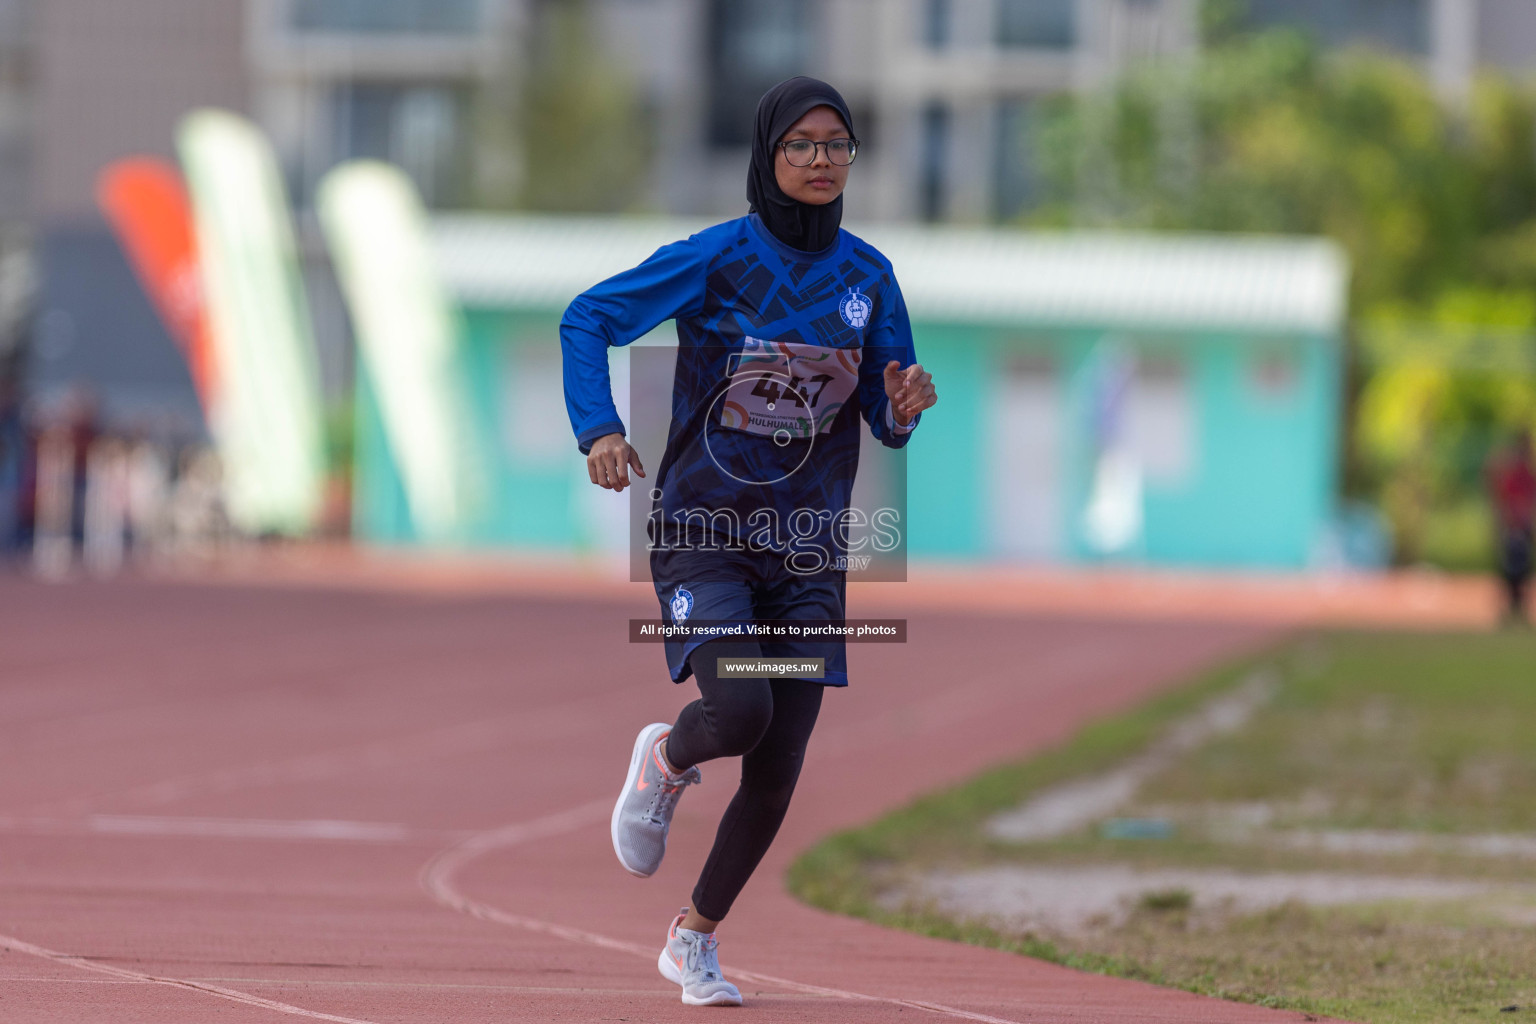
point(1435, 206)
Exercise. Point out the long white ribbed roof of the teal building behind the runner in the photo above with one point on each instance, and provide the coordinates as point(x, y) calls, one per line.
point(950, 274)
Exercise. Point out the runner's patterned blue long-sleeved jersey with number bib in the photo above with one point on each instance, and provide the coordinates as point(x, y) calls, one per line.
point(781, 352)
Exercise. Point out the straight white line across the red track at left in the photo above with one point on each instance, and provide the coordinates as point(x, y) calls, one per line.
point(320, 830)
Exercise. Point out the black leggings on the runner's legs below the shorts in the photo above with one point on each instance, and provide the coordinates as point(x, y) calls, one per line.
point(766, 721)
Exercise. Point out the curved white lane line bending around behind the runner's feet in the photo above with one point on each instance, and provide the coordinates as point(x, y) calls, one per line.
point(437, 879)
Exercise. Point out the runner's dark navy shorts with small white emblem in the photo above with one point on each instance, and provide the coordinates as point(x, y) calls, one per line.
point(743, 589)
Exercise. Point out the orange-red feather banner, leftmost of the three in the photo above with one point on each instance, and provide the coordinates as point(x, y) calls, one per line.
point(147, 203)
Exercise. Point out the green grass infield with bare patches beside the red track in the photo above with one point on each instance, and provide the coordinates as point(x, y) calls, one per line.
point(1383, 732)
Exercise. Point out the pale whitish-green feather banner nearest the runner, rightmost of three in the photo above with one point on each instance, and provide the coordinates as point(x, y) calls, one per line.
point(377, 228)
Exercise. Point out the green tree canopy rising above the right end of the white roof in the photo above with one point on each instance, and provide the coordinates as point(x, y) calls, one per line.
point(1352, 145)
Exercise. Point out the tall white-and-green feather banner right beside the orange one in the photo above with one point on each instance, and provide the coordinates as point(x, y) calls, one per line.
point(268, 420)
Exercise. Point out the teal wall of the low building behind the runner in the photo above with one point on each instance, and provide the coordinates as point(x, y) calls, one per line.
point(1236, 434)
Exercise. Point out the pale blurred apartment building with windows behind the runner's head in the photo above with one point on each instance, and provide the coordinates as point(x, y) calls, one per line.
point(945, 91)
